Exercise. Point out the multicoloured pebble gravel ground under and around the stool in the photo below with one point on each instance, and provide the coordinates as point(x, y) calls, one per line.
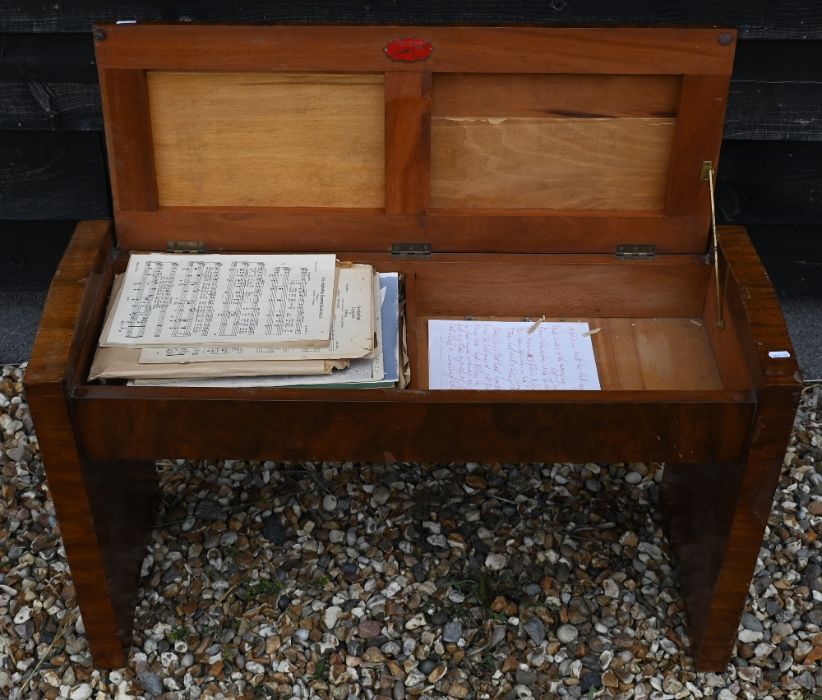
point(273, 580)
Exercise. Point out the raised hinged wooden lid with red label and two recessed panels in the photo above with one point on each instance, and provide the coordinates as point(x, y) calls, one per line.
point(360, 138)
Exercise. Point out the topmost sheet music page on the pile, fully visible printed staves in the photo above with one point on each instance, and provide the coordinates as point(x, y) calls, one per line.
point(171, 299)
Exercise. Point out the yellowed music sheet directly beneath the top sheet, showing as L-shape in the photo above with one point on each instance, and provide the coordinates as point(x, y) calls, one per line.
point(352, 332)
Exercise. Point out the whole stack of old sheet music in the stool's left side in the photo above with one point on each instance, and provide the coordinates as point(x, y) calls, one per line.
point(251, 320)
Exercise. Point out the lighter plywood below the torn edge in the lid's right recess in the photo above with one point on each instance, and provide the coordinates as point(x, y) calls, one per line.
point(550, 163)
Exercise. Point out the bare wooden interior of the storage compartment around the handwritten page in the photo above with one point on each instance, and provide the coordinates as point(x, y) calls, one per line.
point(652, 322)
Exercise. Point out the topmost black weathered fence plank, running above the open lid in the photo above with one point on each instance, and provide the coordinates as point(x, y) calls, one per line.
point(799, 19)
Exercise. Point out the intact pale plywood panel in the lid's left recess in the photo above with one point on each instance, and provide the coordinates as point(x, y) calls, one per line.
point(268, 139)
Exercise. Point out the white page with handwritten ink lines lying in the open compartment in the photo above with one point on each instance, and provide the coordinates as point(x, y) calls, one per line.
point(503, 355)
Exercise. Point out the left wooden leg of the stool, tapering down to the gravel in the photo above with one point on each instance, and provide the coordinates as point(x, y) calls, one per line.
point(104, 509)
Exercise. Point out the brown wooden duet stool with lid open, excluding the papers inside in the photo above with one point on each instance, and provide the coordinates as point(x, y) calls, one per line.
point(506, 173)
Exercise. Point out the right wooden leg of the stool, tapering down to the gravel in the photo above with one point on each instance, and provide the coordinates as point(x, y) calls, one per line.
point(717, 514)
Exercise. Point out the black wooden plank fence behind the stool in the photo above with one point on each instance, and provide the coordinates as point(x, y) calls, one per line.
point(52, 162)
